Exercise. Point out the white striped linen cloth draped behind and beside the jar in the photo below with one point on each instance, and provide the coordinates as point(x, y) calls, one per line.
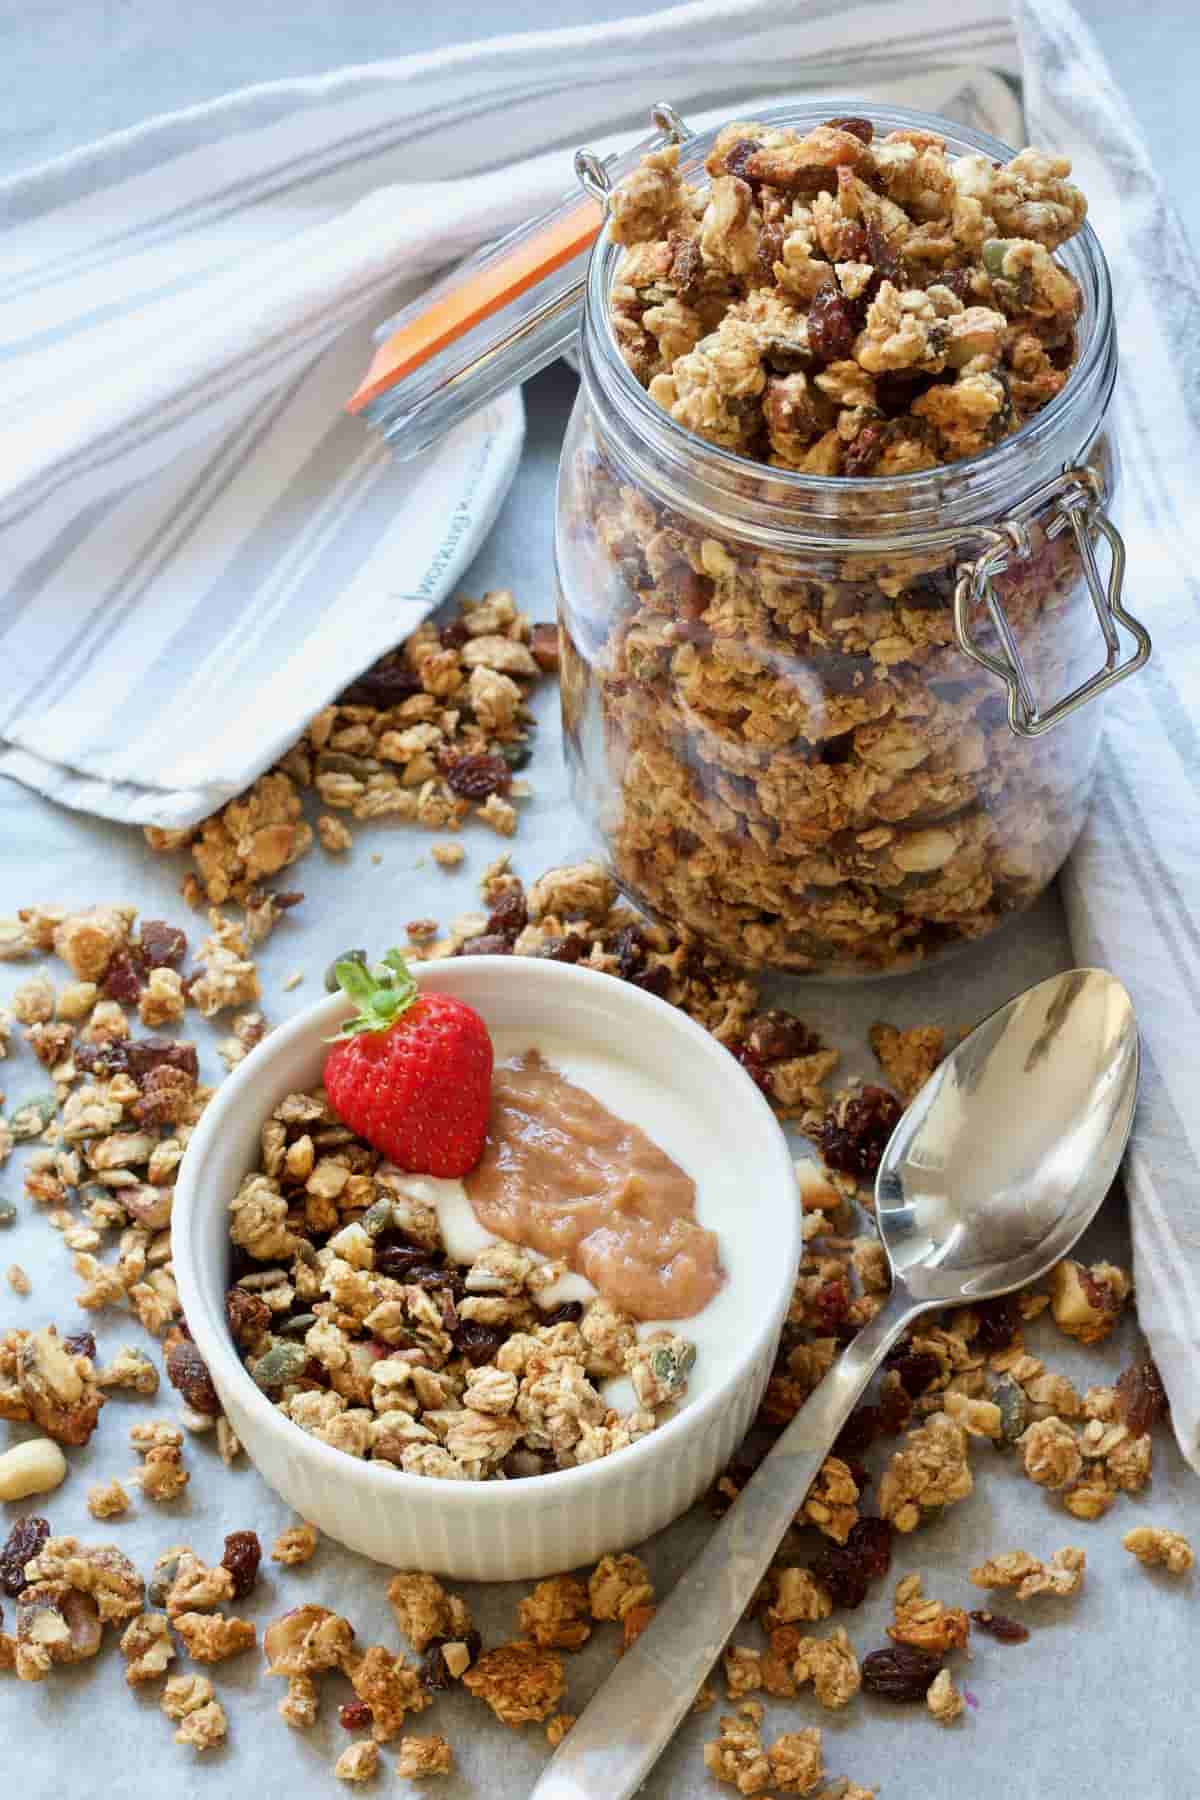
point(201, 548)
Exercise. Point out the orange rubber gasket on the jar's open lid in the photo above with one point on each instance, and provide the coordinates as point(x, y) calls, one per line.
point(478, 298)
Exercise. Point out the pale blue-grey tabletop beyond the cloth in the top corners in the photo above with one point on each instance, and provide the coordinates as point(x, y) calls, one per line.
point(76, 69)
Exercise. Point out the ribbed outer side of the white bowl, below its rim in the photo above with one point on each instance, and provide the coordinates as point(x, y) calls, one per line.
point(483, 1538)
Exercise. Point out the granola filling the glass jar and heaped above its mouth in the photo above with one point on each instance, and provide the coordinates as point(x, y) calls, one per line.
point(787, 751)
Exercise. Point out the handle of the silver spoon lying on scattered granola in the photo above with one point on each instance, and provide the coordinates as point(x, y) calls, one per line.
point(631, 1722)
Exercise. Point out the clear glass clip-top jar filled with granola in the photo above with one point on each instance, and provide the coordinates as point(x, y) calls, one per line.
point(837, 726)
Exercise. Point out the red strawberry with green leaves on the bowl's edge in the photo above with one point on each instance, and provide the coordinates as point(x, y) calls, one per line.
point(411, 1072)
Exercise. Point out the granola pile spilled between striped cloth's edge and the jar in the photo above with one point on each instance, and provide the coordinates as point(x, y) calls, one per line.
point(429, 735)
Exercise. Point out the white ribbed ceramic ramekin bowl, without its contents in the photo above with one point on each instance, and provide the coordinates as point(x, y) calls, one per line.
point(506, 1531)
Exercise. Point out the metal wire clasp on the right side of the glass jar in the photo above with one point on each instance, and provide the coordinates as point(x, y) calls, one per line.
point(1080, 498)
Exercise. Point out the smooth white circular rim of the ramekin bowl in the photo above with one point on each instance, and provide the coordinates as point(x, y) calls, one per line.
point(564, 1484)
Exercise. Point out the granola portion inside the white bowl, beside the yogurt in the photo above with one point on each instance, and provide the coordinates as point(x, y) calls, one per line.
point(354, 1320)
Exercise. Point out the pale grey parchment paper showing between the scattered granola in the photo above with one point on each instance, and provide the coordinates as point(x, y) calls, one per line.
point(1098, 1702)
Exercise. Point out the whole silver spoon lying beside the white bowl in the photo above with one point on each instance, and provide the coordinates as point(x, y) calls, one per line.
point(987, 1183)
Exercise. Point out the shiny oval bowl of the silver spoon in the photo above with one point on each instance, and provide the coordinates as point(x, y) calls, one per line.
point(1010, 1147)
